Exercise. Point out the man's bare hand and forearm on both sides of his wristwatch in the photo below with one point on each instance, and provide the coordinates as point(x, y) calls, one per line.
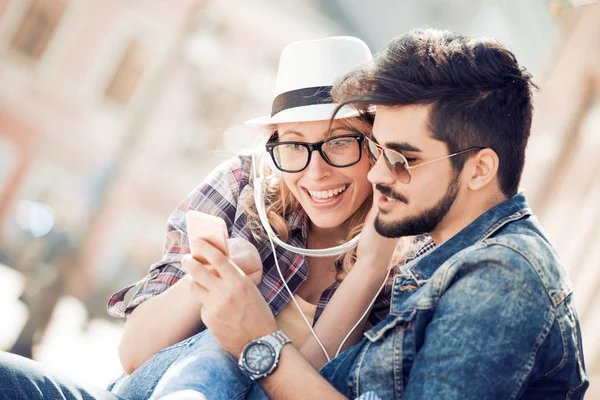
point(235, 313)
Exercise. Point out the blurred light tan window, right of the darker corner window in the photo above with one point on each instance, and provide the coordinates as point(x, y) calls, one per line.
point(129, 73)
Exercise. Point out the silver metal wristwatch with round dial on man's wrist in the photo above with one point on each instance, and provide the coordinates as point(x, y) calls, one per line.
point(260, 357)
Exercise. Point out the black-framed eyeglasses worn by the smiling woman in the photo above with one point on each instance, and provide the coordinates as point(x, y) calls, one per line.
point(338, 151)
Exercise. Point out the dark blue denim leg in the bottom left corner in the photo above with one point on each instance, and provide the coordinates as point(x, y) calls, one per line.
point(25, 379)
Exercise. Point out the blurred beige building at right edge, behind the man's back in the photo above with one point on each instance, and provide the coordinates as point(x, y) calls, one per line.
point(562, 162)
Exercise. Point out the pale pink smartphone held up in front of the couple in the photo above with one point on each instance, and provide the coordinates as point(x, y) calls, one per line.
point(208, 227)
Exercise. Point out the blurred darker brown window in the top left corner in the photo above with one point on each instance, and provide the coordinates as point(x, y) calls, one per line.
point(38, 26)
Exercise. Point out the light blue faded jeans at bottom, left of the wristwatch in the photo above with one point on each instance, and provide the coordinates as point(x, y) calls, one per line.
point(198, 363)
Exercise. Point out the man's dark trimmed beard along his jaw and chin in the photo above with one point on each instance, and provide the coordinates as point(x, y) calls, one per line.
point(425, 222)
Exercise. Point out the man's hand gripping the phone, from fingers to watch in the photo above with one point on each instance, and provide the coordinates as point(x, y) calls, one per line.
point(232, 307)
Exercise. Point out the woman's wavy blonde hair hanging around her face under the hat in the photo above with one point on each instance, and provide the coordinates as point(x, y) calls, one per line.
point(281, 203)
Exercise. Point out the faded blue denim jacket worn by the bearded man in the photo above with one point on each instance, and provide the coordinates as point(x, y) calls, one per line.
point(488, 314)
